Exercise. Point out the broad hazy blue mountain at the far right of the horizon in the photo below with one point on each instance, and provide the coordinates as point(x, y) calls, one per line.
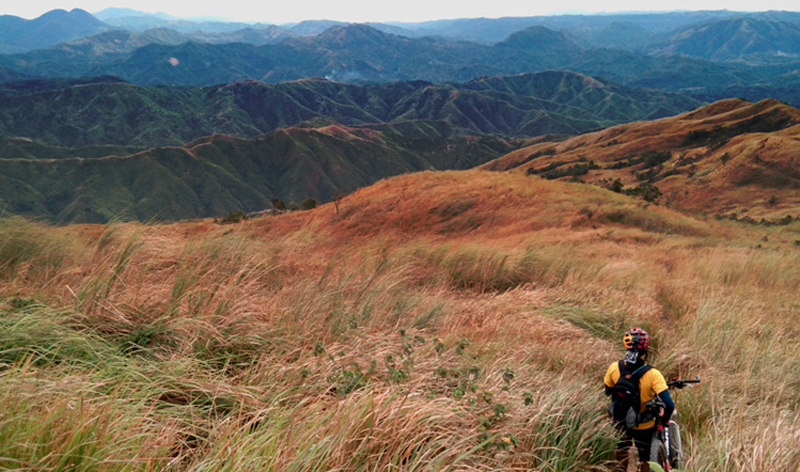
point(735, 38)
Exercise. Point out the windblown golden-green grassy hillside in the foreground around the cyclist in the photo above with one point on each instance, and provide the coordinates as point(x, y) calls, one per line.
point(457, 321)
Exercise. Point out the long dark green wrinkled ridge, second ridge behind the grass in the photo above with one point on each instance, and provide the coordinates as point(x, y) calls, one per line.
point(80, 112)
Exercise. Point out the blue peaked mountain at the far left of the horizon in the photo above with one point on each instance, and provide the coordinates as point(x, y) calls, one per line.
point(18, 34)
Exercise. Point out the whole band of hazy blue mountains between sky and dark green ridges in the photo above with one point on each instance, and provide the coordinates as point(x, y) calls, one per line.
point(670, 51)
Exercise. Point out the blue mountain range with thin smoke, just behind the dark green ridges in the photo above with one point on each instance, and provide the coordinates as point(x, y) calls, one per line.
point(361, 54)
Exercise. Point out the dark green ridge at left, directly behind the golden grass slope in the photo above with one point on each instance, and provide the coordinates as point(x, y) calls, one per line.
point(215, 175)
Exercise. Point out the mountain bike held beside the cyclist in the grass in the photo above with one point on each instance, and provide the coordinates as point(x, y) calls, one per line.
point(666, 448)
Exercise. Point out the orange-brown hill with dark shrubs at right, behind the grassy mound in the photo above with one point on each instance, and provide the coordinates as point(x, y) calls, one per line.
point(733, 158)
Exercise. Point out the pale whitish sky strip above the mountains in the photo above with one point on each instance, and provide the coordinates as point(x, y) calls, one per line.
point(285, 11)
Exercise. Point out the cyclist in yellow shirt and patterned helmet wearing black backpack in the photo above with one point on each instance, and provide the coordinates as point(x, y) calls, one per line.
point(651, 383)
